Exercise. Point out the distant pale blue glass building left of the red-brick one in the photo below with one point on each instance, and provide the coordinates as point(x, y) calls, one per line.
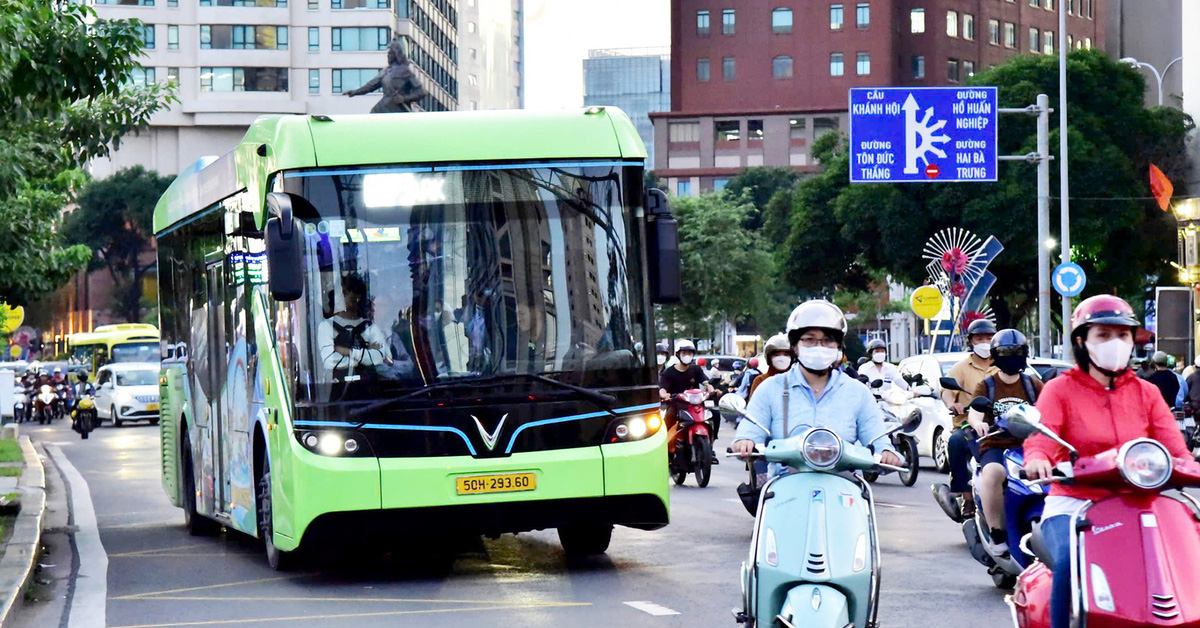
point(635, 80)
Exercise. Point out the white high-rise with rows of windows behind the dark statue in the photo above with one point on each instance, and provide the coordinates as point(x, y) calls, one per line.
point(235, 61)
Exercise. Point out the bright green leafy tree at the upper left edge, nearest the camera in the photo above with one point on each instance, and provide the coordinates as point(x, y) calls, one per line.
point(61, 81)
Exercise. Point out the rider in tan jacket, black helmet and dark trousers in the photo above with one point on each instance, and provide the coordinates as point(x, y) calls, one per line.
point(956, 499)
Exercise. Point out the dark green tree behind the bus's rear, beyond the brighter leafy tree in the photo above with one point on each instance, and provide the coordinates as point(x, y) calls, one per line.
point(115, 219)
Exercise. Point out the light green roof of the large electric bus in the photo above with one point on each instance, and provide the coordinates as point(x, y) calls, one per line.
point(278, 143)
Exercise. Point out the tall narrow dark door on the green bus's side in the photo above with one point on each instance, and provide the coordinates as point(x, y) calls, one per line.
point(217, 278)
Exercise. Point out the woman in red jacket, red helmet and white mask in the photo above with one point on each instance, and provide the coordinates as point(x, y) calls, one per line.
point(1097, 406)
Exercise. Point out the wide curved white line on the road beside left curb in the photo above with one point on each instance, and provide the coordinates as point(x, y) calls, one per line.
point(92, 582)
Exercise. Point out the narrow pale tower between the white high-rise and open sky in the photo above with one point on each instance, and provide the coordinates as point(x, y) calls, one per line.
point(490, 55)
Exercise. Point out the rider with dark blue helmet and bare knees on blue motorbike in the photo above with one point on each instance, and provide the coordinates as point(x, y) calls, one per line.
point(1010, 387)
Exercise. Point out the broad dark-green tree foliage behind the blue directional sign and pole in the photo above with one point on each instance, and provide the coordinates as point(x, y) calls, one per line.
point(1121, 238)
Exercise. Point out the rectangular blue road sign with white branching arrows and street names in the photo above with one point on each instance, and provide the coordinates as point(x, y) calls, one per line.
point(913, 135)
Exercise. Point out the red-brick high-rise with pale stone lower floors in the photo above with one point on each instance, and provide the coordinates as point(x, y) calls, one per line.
point(757, 82)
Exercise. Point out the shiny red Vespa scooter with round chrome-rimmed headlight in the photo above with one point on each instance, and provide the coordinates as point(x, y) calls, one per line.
point(1135, 553)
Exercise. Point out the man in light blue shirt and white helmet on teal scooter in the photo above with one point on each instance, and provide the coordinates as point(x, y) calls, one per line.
point(814, 393)
